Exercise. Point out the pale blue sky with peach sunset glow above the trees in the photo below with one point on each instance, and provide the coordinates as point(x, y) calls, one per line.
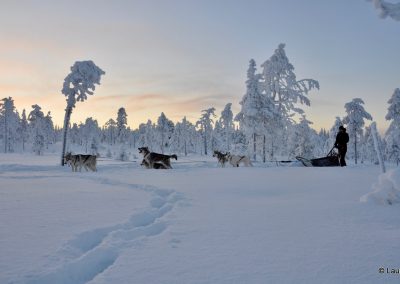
point(181, 57)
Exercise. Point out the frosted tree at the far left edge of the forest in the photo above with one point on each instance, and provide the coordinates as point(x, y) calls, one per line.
point(10, 121)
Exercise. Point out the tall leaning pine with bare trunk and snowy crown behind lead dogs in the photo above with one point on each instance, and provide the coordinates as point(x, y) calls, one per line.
point(78, 84)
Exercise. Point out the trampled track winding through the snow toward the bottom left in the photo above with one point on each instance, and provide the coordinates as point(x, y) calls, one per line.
point(91, 252)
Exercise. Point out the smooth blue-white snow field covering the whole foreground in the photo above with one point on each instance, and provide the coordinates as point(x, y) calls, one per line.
point(194, 224)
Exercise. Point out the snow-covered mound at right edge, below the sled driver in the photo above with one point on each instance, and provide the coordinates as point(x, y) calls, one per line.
point(387, 190)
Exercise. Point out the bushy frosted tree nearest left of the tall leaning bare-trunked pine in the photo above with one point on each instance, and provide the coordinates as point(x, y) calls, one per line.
point(36, 124)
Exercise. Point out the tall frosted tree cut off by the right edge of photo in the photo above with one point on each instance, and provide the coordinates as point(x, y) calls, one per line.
point(393, 132)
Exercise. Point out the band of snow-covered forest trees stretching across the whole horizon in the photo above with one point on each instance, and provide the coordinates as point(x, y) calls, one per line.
point(270, 124)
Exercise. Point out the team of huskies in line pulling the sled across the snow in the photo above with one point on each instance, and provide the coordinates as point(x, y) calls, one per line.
point(151, 160)
